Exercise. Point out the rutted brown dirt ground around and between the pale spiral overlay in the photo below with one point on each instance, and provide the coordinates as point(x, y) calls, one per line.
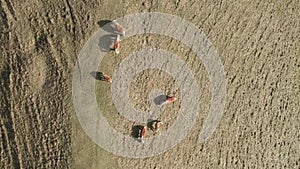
point(258, 43)
